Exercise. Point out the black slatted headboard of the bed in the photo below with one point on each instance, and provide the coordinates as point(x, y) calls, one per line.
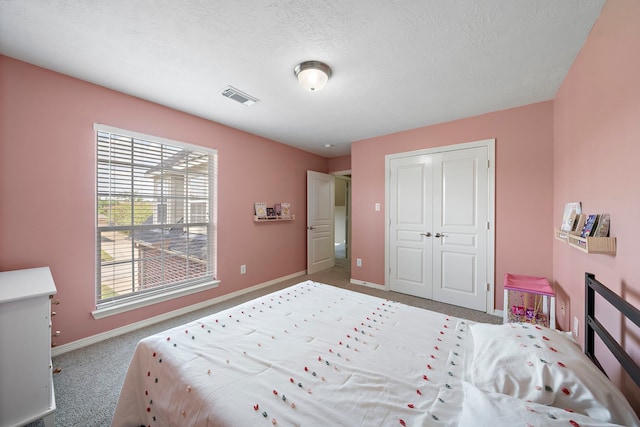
point(593, 326)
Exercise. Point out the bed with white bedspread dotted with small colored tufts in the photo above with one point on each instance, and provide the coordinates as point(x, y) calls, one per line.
point(317, 355)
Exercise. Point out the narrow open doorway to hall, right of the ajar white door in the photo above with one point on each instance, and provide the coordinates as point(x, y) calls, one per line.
point(342, 228)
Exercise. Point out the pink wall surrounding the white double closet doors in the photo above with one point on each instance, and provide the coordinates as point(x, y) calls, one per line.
point(524, 188)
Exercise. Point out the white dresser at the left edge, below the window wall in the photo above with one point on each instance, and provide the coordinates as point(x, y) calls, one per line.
point(26, 383)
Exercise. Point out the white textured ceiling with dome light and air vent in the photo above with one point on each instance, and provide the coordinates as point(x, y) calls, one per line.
point(397, 64)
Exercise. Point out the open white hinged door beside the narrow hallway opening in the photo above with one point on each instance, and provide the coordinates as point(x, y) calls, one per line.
point(320, 221)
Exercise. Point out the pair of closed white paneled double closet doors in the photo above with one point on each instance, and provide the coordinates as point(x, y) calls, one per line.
point(438, 236)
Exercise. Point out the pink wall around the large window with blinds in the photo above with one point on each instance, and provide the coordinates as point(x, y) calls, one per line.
point(47, 190)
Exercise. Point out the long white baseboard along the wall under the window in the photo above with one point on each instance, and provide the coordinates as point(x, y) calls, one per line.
point(64, 348)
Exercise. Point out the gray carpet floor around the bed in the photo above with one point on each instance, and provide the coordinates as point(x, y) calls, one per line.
point(89, 383)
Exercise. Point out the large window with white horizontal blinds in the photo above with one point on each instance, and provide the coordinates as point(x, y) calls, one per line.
point(155, 219)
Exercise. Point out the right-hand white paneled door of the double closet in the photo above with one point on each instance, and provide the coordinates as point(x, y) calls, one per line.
point(460, 219)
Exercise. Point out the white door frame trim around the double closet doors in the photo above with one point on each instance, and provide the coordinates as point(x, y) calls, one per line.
point(490, 144)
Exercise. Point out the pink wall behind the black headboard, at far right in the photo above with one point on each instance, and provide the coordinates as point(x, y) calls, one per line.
point(597, 150)
